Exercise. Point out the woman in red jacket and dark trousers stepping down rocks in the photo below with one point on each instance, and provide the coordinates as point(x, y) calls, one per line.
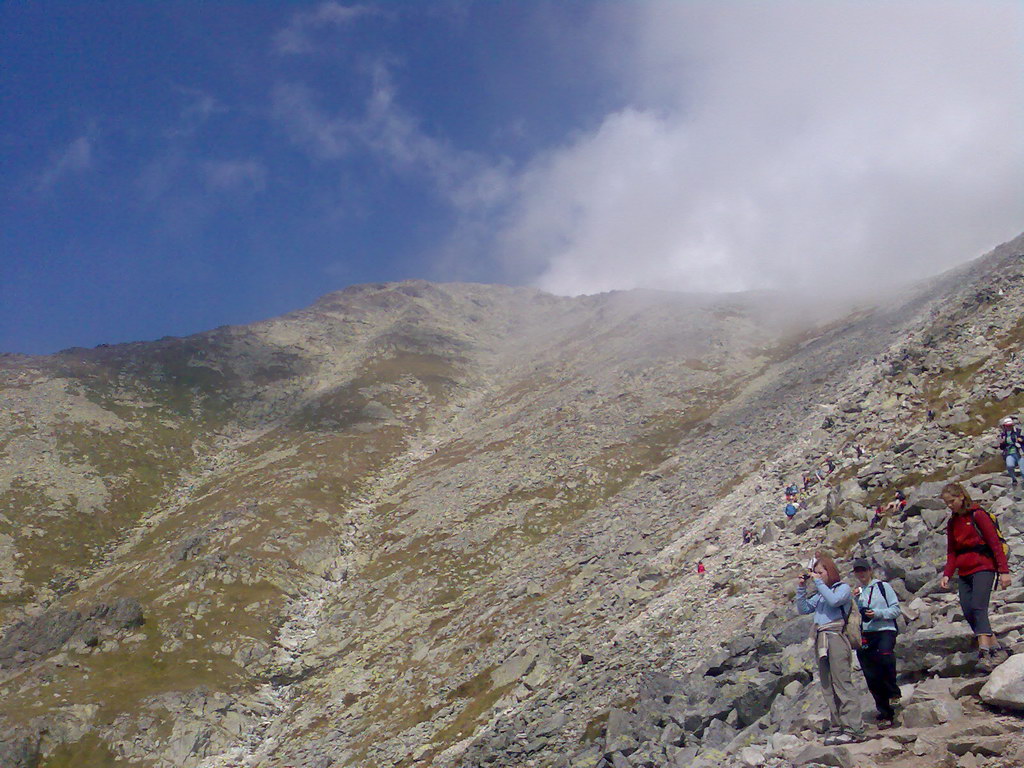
point(975, 552)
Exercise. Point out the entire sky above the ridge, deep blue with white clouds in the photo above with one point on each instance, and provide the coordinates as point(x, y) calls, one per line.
point(172, 167)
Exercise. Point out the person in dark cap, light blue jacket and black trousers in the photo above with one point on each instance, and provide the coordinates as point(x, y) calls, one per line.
point(879, 608)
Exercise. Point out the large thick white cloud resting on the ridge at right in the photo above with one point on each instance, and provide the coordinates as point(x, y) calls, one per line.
point(803, 144)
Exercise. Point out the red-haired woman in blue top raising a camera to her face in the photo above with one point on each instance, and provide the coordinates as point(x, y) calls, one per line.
point(822, 592)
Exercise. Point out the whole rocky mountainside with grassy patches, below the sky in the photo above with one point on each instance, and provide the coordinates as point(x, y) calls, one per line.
point(457, 526)
